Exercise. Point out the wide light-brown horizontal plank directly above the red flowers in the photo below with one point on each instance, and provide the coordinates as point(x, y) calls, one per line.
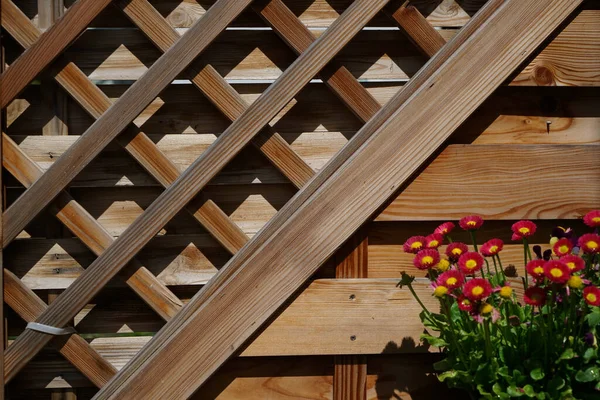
point(502, 182)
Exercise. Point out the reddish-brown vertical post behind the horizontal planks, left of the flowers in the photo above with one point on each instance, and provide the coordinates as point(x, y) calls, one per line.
point(350, 373)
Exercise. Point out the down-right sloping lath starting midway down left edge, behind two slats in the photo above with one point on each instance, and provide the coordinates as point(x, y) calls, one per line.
point(91, 233)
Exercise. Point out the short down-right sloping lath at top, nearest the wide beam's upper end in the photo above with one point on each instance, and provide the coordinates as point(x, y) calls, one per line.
point(422, 33)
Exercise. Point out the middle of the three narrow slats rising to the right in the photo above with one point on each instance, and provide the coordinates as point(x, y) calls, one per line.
point(119, 115)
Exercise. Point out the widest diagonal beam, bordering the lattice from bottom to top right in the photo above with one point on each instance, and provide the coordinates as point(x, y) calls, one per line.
point(362, 184)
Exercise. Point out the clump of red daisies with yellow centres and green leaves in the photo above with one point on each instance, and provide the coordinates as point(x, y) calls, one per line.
point(498, 344)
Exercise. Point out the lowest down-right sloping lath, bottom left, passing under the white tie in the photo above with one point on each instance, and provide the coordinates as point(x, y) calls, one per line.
point(75, 349)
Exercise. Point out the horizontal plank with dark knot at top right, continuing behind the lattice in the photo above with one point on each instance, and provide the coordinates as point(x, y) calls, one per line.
point(572, 58)
